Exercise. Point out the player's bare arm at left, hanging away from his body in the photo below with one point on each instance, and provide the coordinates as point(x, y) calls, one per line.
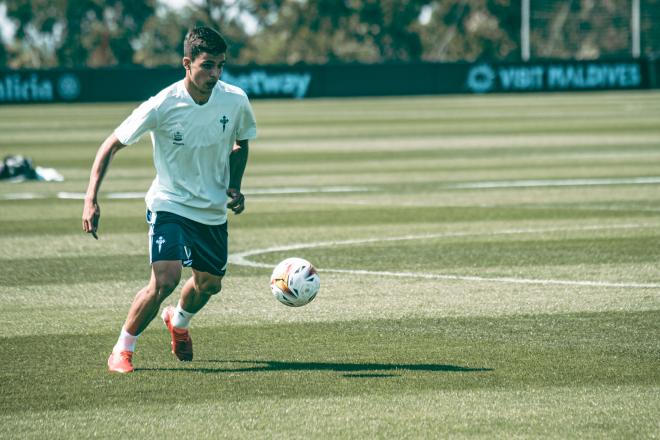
point(91, 209)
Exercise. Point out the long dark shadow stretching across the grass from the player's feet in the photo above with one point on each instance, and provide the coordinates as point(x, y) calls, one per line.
point(349, 369)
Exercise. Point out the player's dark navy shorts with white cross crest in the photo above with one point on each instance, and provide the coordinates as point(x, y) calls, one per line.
point(202, 247)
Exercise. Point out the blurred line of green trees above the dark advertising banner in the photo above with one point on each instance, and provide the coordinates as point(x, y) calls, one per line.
point(96, 33)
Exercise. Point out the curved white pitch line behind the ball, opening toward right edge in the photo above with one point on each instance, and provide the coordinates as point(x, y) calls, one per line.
point(241, 258)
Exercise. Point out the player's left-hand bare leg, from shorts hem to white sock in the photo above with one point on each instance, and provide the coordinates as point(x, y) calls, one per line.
point(165, 276)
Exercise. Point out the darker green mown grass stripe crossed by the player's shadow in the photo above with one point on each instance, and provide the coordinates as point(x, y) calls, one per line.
point(433, 354)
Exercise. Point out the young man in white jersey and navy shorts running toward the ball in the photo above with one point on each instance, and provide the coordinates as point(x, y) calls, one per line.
point(199, 128)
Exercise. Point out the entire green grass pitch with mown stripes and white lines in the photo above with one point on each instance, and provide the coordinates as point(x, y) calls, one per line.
point(490, 267)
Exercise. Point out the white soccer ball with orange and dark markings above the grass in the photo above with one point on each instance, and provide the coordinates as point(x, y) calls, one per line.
point(295, 282)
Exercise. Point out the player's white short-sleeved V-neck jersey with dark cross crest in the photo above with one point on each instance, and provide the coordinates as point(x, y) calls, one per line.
point(191, 146)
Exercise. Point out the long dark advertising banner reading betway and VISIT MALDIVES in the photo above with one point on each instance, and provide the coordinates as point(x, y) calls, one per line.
point(335, 80)
